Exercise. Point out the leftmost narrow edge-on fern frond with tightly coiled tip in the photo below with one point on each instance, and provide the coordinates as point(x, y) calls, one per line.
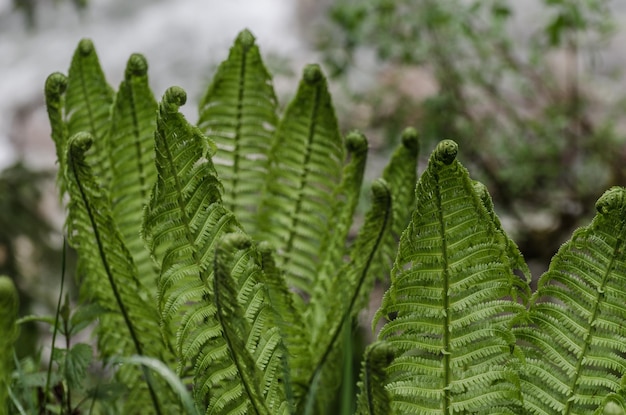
point(56, 84)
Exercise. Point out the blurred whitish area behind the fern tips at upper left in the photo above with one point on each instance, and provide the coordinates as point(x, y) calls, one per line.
point(183, 40)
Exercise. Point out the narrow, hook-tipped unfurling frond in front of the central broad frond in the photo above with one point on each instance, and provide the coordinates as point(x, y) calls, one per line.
point(231, 318)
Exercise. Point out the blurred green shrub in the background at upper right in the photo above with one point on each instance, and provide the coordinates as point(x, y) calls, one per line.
point(521, 97)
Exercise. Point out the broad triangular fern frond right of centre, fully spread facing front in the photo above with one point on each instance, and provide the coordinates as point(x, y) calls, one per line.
point(448, 302)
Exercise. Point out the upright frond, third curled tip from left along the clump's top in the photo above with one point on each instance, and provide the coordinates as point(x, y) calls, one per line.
point(133, 122)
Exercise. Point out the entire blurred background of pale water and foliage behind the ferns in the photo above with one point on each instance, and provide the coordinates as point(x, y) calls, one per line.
point(532, 90)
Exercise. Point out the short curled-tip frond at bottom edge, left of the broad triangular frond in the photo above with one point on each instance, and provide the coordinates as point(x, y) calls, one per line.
point(373, 398)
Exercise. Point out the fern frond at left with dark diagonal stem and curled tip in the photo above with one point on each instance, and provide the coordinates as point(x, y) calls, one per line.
point(108, 274)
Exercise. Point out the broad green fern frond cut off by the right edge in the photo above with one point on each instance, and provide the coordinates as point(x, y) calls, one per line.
point(575, 337)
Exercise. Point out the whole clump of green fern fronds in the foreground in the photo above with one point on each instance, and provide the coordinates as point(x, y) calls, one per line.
point(223, 249)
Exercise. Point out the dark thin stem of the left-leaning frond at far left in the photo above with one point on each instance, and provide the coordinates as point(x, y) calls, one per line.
point(114, 288)
